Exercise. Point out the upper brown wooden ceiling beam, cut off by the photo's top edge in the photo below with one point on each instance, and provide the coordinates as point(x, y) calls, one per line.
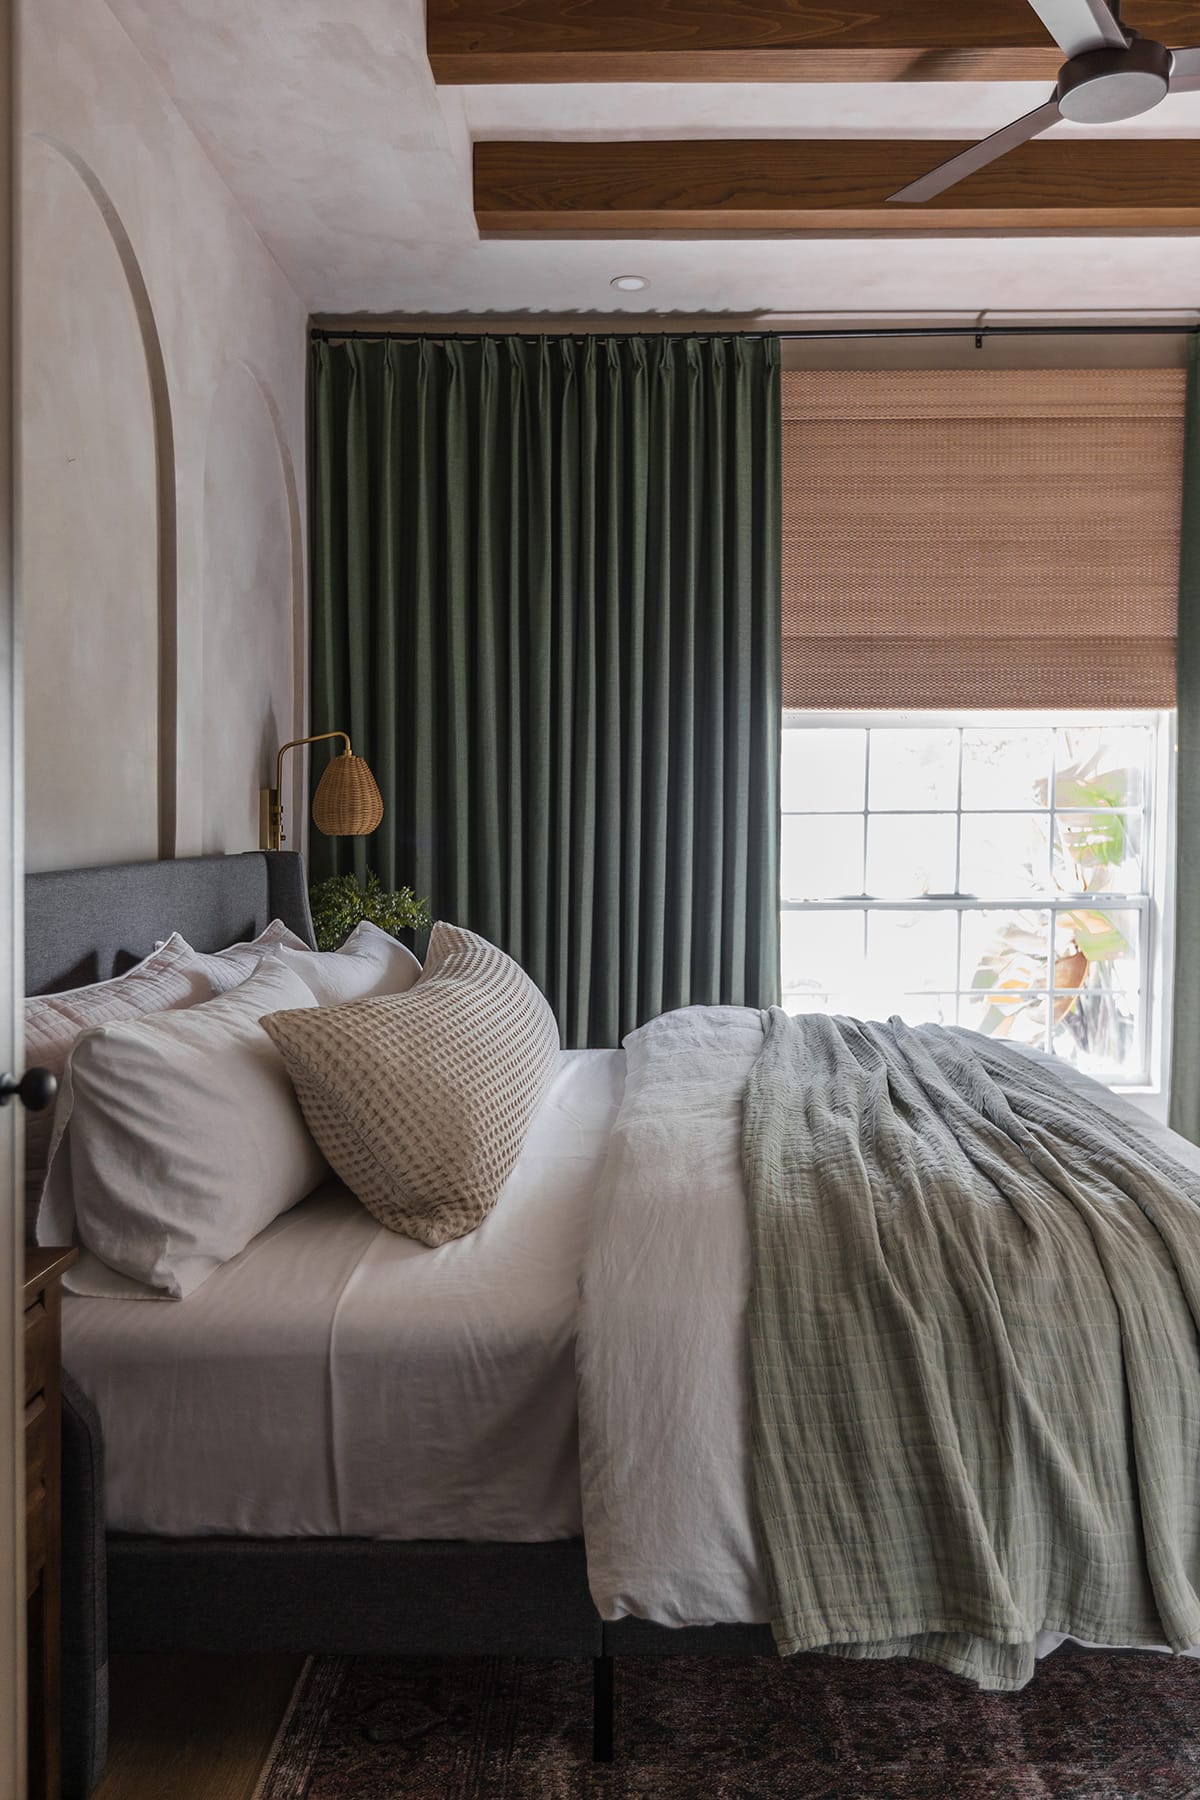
point(760, 40)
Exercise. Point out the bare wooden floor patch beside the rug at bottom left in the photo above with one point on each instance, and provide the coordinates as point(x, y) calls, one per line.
point(193, 1727)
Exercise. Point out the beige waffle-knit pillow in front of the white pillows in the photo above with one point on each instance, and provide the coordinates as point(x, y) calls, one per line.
point(422, 1101)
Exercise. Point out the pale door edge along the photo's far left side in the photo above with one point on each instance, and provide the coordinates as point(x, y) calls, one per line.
point(12, 1223)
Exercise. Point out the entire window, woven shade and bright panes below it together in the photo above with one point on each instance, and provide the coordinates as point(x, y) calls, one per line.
point(999, 543)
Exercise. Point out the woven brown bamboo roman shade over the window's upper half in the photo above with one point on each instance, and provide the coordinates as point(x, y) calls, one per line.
point(981, 539)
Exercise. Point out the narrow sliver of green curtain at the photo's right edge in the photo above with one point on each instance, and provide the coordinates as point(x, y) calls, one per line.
point(1187, 1012)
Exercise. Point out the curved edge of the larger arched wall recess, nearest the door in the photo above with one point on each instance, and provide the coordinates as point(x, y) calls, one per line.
point(166, 496)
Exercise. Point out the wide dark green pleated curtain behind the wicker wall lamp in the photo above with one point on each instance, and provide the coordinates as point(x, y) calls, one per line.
point(546, 607)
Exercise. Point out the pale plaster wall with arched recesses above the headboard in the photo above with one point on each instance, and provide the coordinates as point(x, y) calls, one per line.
point(161, 467)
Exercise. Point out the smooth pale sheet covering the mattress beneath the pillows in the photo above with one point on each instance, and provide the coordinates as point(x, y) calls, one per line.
point(341, 1380)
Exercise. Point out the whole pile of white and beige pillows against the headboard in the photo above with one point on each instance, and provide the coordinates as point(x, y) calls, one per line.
point(201, 1097)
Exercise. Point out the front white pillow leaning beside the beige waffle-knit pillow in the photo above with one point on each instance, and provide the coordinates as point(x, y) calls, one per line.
point(177, 1140)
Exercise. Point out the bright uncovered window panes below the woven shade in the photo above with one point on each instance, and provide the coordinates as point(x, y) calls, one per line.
point(999, 872)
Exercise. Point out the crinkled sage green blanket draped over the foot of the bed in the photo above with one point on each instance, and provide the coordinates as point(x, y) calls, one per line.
point(974, 1354)
